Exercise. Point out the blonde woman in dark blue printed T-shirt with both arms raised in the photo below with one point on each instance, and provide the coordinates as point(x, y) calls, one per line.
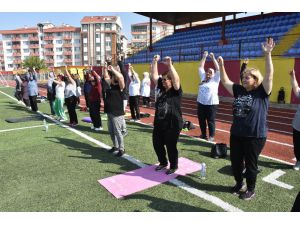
point(249, 128)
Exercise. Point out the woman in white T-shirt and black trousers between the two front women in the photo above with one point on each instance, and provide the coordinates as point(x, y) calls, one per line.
point(208, 99)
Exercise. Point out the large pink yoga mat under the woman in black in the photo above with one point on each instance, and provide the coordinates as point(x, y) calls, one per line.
point(137, 180)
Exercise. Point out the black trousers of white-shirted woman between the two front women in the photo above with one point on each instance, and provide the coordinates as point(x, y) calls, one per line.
point(207, 116)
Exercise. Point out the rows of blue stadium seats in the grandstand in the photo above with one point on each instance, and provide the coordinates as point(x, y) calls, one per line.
point(243, 36)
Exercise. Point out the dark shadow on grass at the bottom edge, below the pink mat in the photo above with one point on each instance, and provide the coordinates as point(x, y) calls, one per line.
point(163, 205)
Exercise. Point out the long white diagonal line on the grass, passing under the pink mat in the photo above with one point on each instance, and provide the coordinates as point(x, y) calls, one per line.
point(201, 194)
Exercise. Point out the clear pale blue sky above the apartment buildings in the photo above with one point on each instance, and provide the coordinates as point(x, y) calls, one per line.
point(13, 20)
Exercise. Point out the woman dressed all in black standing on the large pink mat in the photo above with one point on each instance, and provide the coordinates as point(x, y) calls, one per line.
point(168, 117)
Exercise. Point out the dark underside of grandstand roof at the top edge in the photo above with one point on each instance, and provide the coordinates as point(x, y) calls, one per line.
point(179, 18)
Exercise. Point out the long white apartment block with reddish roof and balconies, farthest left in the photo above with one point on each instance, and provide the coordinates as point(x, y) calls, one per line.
point(58, 46)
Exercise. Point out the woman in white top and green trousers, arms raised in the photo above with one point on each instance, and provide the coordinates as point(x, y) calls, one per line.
point(60, 98)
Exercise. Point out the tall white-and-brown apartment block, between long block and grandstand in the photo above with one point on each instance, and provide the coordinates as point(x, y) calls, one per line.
point(101, 37)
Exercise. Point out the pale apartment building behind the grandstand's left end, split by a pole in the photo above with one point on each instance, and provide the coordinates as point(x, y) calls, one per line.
point(141, 33)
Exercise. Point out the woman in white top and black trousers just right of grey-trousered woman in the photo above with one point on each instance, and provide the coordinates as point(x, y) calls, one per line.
point(134, 93)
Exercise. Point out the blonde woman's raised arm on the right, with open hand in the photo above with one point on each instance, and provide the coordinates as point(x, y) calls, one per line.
point(268, 79)
